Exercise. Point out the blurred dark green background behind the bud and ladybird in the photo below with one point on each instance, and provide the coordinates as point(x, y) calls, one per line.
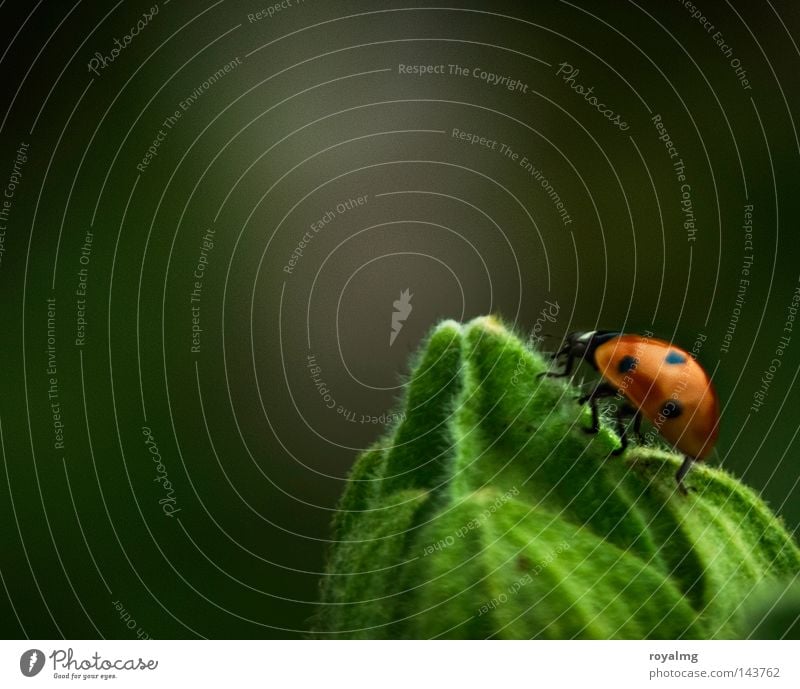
point(256, 459)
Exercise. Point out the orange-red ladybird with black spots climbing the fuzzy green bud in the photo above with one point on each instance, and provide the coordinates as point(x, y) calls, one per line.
point(657, 380)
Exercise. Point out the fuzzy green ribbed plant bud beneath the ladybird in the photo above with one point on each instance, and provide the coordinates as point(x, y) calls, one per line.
point(488, 511)
